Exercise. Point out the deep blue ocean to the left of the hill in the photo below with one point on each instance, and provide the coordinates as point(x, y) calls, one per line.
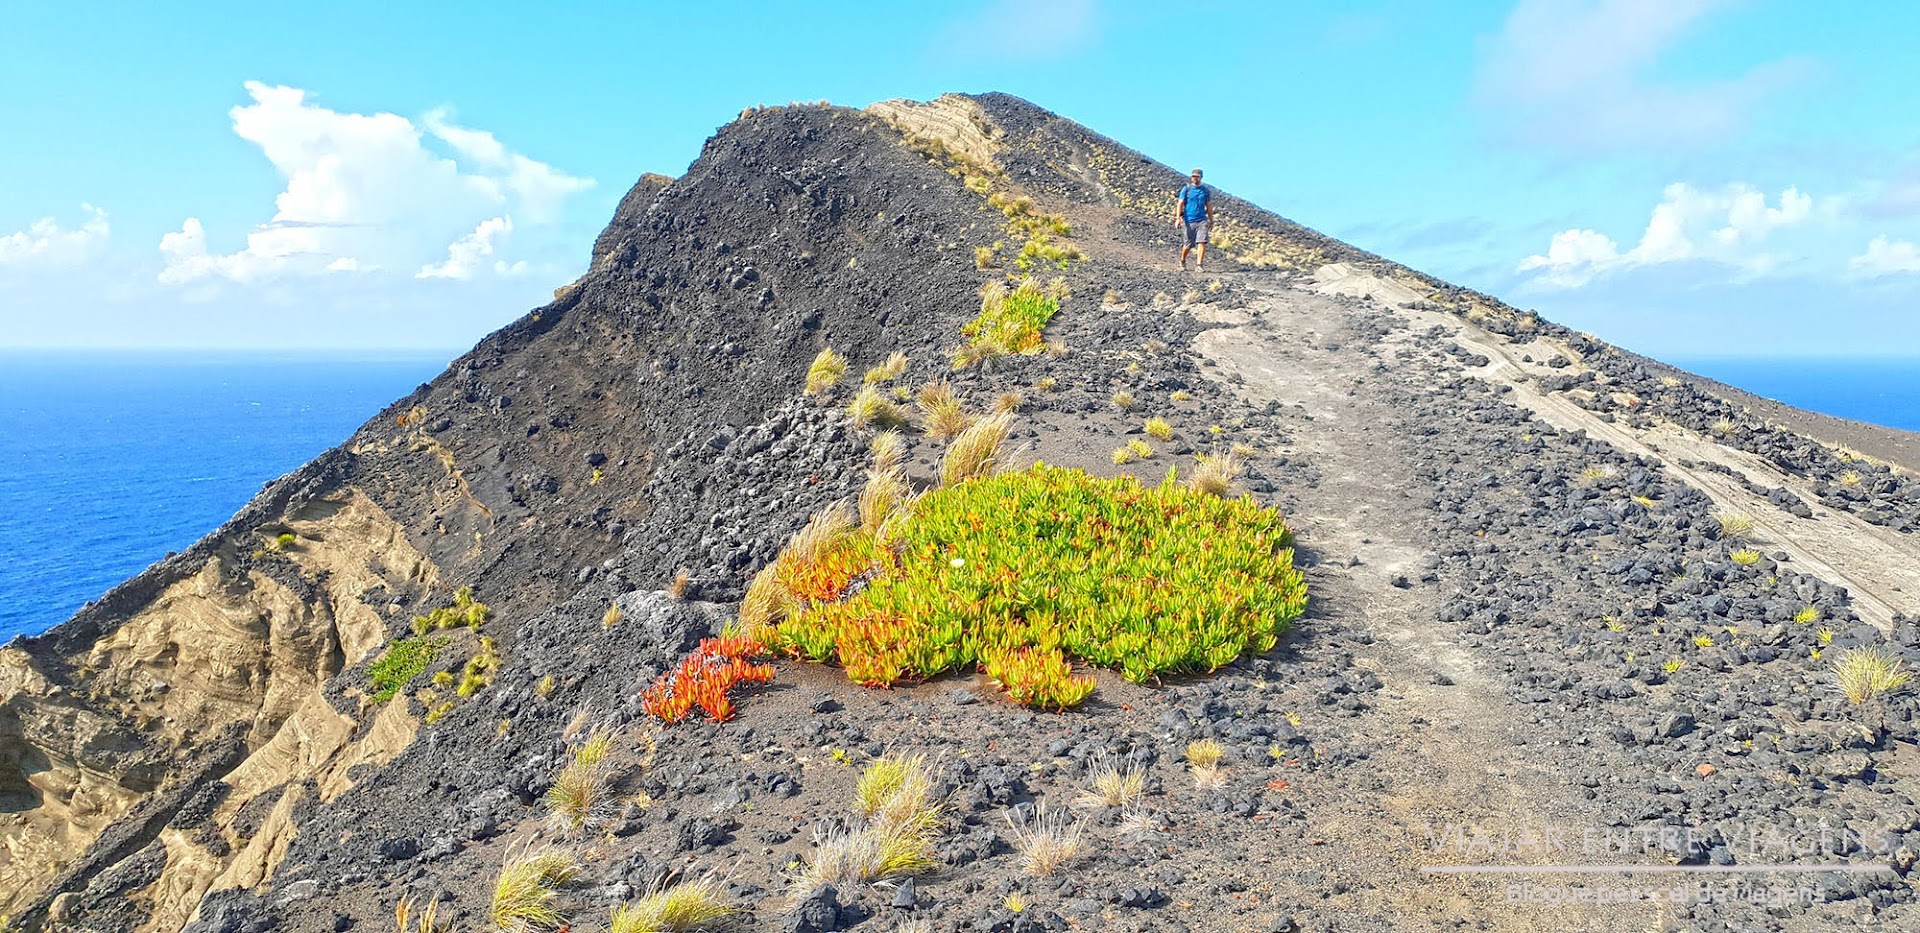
point(112, 460)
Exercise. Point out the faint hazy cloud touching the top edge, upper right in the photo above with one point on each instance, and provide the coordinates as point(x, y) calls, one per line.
point(1573, 74)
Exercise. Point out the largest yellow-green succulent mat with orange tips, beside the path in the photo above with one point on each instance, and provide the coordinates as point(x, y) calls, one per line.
point(1026, 569)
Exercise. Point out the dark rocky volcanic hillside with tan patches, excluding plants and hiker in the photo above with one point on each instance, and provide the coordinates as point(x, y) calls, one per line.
point(1524, 615)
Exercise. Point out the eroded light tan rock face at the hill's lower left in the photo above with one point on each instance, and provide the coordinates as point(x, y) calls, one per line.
point(247, 642)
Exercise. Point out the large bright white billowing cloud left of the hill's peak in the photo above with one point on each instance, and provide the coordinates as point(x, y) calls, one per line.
point(366, 193)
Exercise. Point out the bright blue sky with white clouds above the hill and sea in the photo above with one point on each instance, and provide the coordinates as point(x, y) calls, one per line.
point(1683, 178)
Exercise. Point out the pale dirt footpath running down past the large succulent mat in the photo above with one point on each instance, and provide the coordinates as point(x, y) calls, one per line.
point(1451, 752)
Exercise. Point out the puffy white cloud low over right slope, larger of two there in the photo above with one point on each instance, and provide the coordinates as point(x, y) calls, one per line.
point(1723, 227)
